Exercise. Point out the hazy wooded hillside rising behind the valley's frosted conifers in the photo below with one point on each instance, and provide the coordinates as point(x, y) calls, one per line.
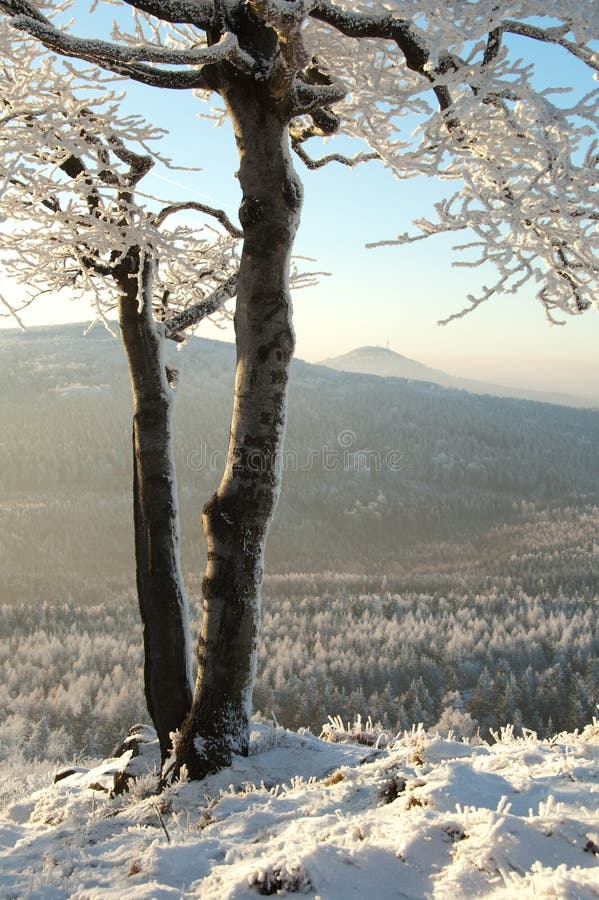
point(372, 466)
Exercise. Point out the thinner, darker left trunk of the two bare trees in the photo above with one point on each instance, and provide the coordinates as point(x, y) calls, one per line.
point(160, 590)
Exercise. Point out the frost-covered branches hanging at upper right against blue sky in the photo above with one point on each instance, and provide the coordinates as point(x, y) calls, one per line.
point(440, 93)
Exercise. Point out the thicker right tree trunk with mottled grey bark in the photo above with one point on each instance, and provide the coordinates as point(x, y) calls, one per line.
point(237, 517)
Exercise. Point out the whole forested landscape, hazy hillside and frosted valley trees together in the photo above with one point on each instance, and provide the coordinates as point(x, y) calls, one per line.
point(453, 584)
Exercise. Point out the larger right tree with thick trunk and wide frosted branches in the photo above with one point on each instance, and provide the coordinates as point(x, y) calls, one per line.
point(525, 169)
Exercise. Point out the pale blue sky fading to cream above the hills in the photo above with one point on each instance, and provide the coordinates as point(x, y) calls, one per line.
point(392, 296)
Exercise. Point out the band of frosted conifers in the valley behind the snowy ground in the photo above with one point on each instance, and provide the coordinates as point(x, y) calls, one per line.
point(71, 675)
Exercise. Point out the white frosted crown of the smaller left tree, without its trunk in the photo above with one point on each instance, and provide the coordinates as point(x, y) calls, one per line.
point(69, 182)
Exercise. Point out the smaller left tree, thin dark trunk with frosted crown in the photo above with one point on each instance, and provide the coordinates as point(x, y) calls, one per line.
point(70, 178)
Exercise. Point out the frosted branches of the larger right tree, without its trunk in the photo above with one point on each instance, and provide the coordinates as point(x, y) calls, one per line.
point(433, 88)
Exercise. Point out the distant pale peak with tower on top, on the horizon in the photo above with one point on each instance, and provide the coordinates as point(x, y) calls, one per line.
point(388, 364)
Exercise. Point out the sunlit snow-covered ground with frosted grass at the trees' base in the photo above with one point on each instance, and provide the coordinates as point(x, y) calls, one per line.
point(428, 817)
